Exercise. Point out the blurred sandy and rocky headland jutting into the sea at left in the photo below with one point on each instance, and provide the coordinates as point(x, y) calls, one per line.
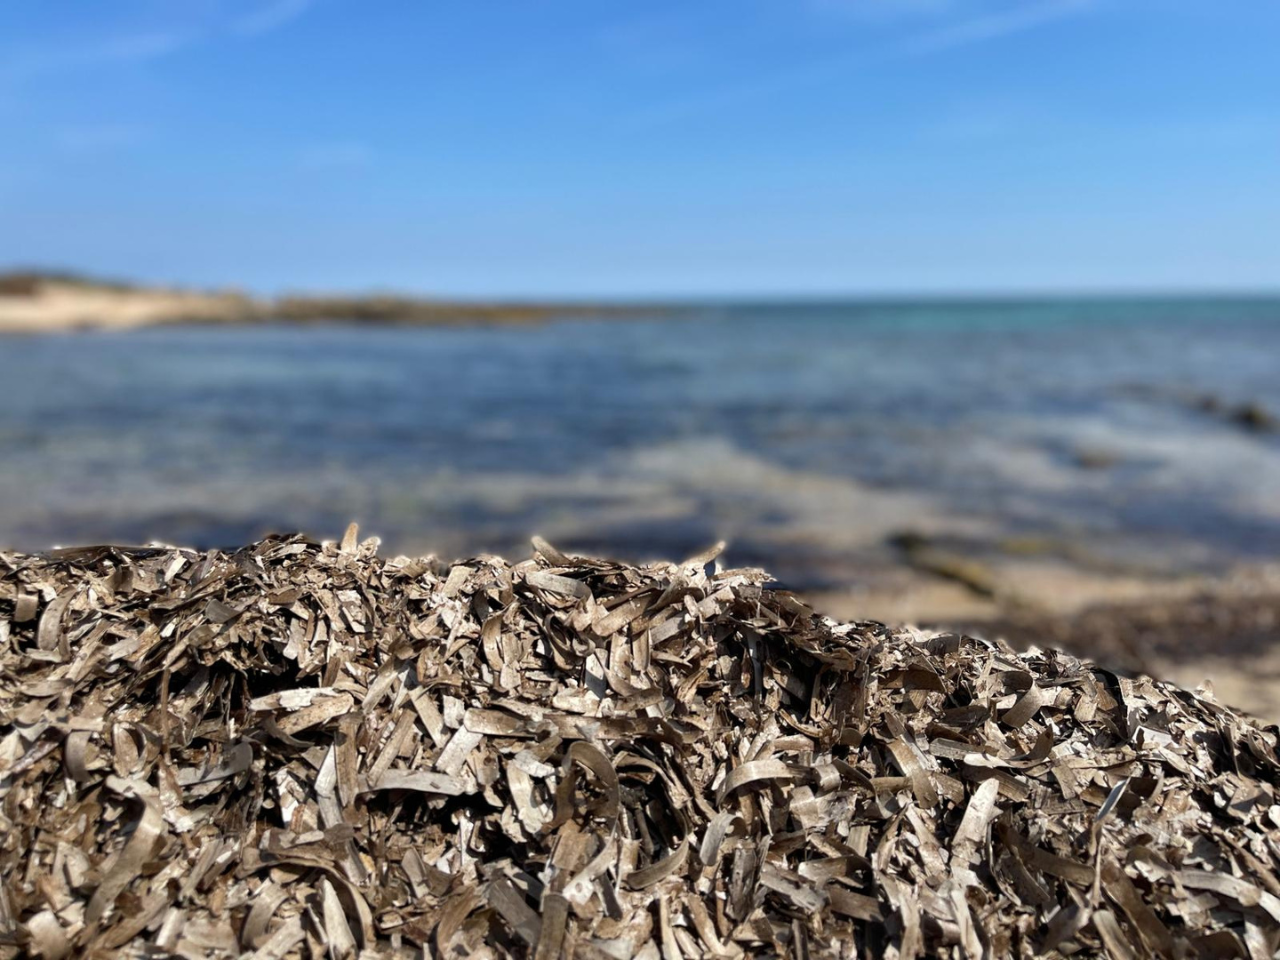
point(47, 301)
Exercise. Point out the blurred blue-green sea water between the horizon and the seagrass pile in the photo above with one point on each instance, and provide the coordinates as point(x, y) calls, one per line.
point(806, 435)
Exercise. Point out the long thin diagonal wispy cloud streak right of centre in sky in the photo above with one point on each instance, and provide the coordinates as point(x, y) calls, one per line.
point(952, 36)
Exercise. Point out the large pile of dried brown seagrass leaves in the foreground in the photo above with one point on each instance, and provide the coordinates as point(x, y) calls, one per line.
point(299, 749)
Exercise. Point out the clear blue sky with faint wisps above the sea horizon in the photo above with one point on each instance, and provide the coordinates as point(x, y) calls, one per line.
point(605, 148)
